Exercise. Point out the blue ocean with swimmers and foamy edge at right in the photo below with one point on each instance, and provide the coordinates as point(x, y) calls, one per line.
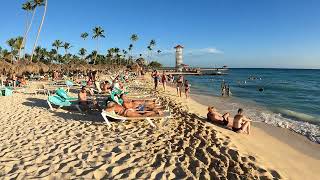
point(288, 98)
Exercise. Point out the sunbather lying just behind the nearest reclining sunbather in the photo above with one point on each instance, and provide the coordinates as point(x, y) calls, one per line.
point(138, 104)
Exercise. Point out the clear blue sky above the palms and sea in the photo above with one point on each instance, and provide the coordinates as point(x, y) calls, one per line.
point(236, 33)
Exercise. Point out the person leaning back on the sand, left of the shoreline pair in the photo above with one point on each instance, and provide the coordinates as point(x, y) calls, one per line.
point(218, 118)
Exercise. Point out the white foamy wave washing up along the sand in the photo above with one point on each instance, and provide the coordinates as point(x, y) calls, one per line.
point(259, 113)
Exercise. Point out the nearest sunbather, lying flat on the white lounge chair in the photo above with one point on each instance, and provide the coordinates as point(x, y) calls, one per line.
point(121, 111)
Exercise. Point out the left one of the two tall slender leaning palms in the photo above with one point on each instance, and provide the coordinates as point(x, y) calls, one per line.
point(28, 7)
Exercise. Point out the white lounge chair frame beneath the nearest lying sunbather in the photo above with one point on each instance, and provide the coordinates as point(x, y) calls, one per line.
point(106, 115)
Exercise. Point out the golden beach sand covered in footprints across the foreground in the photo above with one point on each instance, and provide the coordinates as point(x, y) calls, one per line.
point(64, 144)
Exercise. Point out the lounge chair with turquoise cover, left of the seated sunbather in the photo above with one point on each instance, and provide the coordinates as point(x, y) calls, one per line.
point(61, 102)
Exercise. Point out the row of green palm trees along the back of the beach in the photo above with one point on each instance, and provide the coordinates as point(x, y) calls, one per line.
point(113, 56)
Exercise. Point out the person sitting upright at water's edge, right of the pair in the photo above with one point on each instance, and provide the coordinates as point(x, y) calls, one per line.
point(241, 124)
